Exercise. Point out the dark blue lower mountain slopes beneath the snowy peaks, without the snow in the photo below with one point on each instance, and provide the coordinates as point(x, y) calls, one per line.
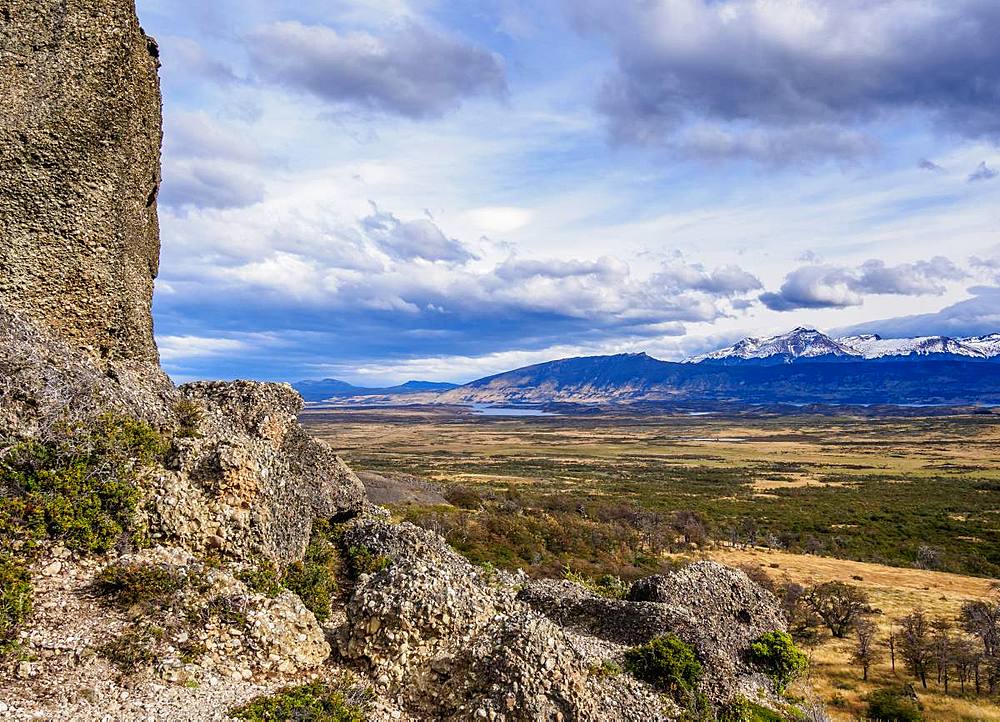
point(640, 378)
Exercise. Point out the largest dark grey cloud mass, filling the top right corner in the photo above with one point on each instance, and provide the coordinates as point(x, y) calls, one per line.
point(778, 76)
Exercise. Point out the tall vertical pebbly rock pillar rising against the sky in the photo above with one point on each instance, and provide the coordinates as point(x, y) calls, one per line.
point(80, 139)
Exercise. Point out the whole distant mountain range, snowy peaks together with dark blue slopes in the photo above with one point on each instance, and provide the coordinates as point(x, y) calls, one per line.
point(802, 367)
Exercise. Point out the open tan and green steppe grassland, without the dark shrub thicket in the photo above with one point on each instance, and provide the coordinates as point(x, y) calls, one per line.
point(884, 486)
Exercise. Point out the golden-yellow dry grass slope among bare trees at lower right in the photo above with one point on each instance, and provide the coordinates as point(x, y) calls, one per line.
point(895, 592)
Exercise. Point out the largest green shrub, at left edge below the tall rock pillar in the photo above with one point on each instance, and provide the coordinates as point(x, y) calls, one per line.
point(79, 488)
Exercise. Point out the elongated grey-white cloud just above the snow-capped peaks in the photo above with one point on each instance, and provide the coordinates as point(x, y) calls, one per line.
point(827, 286)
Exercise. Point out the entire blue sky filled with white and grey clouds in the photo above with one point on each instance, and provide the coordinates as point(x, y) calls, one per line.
point(380, 191)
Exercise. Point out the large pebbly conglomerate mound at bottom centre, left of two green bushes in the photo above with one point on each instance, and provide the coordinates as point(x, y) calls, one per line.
point(447, 640)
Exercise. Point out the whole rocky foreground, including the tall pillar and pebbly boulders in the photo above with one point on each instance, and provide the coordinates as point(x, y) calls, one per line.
point(203, 501)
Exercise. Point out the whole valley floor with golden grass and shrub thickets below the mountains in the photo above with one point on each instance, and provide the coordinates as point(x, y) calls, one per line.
point(907, 508)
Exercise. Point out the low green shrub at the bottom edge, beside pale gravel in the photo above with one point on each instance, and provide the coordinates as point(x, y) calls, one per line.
point(316, 702)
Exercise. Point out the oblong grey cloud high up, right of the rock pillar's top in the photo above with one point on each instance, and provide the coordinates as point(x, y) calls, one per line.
point(413, 72)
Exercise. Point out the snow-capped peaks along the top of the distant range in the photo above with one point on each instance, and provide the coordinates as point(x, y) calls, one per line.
point(804, 343)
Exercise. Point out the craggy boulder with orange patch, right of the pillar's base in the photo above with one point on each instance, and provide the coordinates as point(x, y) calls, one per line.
point(244, 479)
